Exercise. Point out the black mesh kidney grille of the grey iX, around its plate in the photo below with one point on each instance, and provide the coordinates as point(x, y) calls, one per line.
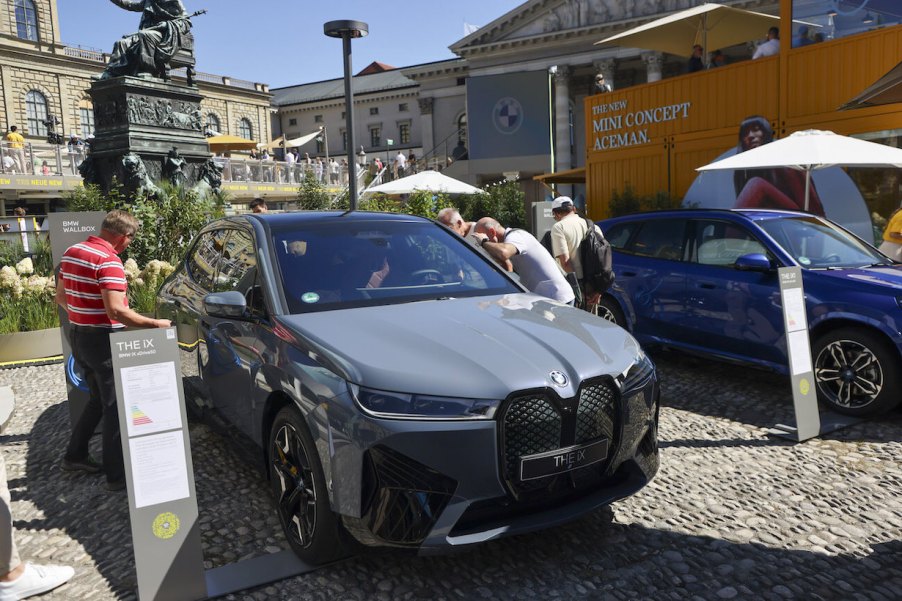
point(536, 423)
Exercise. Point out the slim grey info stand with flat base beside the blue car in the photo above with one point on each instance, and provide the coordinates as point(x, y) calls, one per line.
point(809, 422)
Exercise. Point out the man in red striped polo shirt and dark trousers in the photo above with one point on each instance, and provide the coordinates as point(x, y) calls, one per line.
point(91, 287)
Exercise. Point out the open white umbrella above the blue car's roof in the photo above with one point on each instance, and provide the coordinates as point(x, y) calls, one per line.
point(809, 150)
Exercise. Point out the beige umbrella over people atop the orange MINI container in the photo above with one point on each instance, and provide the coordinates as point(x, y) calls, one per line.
point(710, 25)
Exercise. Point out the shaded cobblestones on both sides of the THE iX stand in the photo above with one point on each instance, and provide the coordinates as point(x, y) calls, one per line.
point(237, 519)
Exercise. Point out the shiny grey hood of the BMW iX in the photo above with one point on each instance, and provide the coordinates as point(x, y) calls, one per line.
point(485, 347)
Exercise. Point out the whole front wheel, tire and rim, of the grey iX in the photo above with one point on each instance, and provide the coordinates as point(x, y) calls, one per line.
point(299, 491)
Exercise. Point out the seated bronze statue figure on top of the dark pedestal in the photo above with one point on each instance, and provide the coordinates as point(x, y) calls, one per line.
point(164, 30)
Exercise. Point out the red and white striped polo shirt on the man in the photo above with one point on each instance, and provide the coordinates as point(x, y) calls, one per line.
point(85, 269)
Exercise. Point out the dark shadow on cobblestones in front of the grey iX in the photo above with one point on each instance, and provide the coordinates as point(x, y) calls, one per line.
point(599, 558)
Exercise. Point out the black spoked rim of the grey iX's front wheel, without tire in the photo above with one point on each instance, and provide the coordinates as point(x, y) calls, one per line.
point(294, 486)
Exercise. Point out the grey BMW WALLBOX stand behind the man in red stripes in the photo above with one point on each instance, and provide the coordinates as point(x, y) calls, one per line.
point(67, 229)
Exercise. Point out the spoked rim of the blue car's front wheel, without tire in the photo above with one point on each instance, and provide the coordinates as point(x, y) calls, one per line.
point(849, 374)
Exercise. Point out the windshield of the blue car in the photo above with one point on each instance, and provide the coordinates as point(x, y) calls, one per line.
point(816, 244)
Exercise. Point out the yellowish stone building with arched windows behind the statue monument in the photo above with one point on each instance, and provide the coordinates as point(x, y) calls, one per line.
point(41, 77)
